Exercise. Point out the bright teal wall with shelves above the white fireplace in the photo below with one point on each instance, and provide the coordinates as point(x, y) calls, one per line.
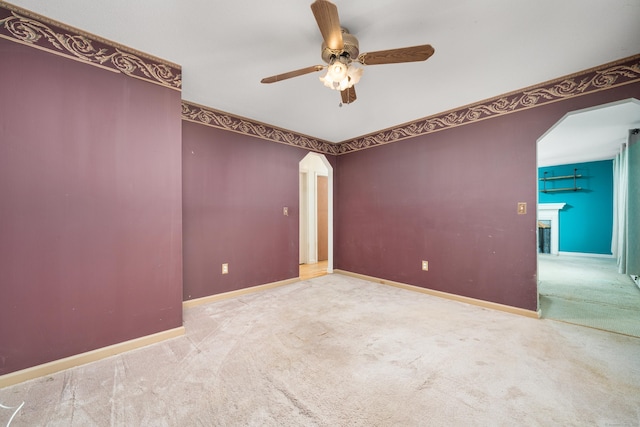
point(587, 219)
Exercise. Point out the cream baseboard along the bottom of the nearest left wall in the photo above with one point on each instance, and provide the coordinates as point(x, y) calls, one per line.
point(88, 357)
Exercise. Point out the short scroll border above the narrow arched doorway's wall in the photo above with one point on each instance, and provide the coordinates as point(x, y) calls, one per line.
point(218, 119)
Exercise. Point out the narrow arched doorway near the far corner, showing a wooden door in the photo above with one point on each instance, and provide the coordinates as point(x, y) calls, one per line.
point(316, 216)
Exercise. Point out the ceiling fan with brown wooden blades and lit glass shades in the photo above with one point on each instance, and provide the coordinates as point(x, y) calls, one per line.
point(340, 50)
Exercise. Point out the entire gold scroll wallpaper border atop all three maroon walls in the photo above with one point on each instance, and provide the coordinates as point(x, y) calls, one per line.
point(25, 27)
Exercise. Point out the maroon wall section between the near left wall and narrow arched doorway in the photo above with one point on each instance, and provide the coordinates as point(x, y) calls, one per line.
point(234, 189)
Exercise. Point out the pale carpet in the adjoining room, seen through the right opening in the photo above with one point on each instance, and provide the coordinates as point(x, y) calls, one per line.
point(589, 292)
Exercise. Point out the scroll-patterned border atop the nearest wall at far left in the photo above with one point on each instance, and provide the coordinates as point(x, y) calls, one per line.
point(28, 28)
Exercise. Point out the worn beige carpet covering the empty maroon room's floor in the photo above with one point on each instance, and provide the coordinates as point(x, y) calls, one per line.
point(338, 351)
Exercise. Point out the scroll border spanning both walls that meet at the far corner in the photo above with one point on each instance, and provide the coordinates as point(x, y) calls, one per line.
point(607, 76)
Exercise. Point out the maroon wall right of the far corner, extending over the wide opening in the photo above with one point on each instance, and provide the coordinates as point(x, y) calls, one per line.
point(450, 198)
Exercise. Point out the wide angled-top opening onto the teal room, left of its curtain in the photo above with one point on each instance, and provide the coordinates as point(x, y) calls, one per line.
point(577, 283)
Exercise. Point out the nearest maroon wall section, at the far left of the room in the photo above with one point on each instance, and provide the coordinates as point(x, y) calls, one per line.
point(90, 207)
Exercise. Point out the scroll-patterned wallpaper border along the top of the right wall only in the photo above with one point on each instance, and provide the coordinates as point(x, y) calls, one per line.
point(596, 79)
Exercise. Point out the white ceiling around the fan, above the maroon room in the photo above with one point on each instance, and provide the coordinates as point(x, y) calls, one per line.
point(483, 49)
